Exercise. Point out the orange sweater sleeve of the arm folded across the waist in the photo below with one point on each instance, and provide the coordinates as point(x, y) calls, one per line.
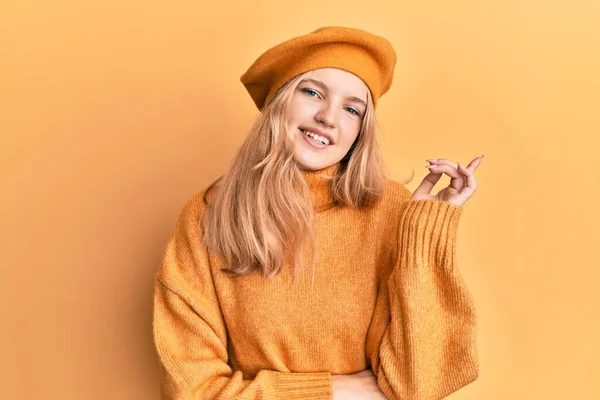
point(190, 335)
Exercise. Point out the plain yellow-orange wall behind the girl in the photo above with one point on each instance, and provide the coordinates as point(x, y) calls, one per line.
point(114, 113)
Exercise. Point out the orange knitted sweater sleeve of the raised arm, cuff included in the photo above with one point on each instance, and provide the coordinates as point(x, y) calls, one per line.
point(426, 323)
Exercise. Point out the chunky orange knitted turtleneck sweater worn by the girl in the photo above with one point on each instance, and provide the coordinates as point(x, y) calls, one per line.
point(387, 296)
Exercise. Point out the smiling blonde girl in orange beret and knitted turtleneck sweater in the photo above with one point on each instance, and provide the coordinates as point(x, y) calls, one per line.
point(304, 272)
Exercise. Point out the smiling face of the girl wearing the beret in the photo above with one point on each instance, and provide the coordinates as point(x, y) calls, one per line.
point(330, 103)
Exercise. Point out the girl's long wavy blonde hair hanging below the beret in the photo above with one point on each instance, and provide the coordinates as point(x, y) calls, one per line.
point(247, 218)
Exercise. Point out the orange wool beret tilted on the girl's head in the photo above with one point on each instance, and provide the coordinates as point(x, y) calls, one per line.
point(370, 57)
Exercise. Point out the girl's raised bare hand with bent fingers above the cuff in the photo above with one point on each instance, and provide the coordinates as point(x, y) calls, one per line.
point(462, 181)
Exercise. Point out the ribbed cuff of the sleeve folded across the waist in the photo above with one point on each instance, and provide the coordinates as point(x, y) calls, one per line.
point(299, 386)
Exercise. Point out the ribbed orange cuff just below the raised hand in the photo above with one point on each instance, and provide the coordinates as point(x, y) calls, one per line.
point(427, 232)
